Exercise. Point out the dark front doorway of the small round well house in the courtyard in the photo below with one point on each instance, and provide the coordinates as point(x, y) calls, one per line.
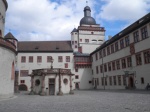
point(52, 86)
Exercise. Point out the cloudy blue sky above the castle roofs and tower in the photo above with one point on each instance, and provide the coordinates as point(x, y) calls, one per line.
point(46, 20)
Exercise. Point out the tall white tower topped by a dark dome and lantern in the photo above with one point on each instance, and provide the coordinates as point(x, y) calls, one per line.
point(89, 35)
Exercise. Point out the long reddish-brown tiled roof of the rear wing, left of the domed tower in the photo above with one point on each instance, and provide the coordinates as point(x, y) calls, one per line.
point(44, 46)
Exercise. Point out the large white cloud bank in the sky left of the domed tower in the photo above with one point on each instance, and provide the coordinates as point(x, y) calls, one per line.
point(43, 19)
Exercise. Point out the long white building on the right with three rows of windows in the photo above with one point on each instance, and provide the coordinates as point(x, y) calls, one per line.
point(124, 60)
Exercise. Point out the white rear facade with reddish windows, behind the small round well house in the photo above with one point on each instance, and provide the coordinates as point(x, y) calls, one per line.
point(29, 66)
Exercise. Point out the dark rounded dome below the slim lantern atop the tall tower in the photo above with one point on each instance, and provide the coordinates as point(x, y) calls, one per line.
point(88, 21)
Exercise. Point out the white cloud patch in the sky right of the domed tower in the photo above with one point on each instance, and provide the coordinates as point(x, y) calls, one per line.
point(126, 10)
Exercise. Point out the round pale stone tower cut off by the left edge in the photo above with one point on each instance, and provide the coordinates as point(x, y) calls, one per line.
point(7, 57)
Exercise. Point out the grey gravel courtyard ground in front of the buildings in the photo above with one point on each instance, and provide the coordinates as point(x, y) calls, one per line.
point(81, 101)
